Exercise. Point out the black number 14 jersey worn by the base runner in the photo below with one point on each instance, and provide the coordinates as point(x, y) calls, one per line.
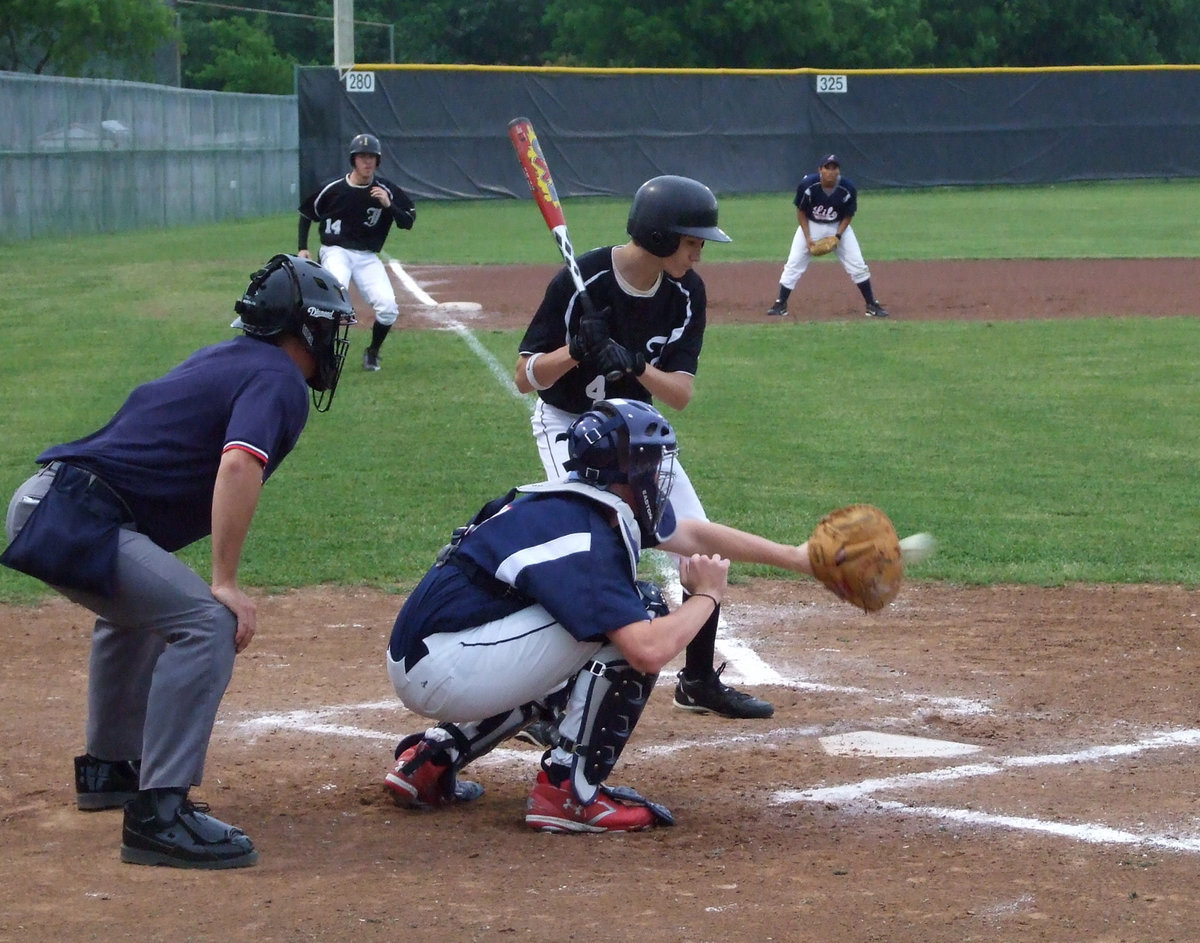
point(351, 218)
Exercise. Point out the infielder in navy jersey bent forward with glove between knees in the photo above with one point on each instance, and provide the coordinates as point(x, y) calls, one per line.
point(826, 202)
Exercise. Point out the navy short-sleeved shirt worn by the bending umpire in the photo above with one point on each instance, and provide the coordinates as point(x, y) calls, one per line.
point(239, 394)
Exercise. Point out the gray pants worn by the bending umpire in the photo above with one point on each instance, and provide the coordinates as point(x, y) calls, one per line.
point(163, 654)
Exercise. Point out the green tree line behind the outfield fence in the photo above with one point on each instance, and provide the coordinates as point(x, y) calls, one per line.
point(225, 46)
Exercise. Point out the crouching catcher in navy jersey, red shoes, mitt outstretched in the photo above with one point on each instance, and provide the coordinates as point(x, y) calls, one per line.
point(535, 606)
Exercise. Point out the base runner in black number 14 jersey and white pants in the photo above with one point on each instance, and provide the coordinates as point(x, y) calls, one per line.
point(356, 213)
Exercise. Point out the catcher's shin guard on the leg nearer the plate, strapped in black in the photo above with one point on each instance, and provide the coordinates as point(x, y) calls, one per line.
point(607, 704)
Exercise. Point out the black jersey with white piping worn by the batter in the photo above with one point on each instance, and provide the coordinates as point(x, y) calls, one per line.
point(668, 327)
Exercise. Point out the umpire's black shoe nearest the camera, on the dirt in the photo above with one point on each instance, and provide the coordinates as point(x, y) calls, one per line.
point(163, 827)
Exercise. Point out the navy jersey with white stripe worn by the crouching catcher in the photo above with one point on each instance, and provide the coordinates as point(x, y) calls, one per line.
point(557, 546)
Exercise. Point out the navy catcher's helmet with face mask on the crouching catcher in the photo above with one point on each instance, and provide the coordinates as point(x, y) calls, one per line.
point(626, 442)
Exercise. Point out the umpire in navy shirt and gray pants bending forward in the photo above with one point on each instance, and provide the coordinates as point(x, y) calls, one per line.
point(185, 458)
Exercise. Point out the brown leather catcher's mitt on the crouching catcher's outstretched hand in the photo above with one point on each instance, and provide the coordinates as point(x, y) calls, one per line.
point(855, 551)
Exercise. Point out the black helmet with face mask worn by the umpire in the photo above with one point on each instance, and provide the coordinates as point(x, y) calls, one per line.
point(291, 296)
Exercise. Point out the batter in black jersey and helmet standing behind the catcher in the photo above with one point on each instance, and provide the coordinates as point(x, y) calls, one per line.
point(644, 345)
